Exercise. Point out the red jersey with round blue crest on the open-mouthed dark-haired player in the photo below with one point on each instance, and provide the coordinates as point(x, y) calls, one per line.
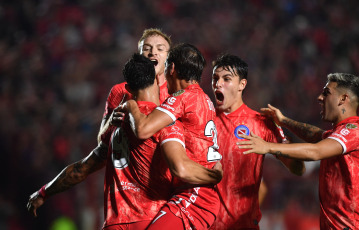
point(243, 173)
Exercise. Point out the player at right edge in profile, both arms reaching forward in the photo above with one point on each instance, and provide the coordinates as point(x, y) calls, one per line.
point(337, 149)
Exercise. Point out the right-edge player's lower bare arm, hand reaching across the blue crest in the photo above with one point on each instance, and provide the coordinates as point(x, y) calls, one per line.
point(303, 151)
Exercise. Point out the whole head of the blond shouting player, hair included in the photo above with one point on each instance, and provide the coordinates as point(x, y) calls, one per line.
point(154, 44)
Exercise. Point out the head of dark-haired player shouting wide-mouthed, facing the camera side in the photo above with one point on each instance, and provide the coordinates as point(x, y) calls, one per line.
point(229, 79)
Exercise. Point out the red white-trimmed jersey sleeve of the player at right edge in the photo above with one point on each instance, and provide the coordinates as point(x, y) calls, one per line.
point(347, 138)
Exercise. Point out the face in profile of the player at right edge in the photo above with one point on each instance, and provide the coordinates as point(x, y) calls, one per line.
point(329, 101)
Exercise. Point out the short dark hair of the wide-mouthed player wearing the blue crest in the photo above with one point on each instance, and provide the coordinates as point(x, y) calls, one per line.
point(229, 61)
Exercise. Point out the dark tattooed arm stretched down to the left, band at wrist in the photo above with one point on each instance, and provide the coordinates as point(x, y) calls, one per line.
point(68, 177)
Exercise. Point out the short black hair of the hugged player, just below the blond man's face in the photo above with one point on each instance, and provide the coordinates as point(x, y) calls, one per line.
point(139, 72)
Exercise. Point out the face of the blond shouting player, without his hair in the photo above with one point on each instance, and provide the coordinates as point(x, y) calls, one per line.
point(156, 49)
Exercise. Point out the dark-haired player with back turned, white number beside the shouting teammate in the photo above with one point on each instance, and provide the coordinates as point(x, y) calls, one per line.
point(197, 207)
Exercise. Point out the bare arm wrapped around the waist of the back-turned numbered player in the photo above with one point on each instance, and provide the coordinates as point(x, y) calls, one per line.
point(186, 169)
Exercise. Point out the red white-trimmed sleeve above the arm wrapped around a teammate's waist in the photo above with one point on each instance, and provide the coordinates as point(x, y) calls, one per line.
point(173, 132)
